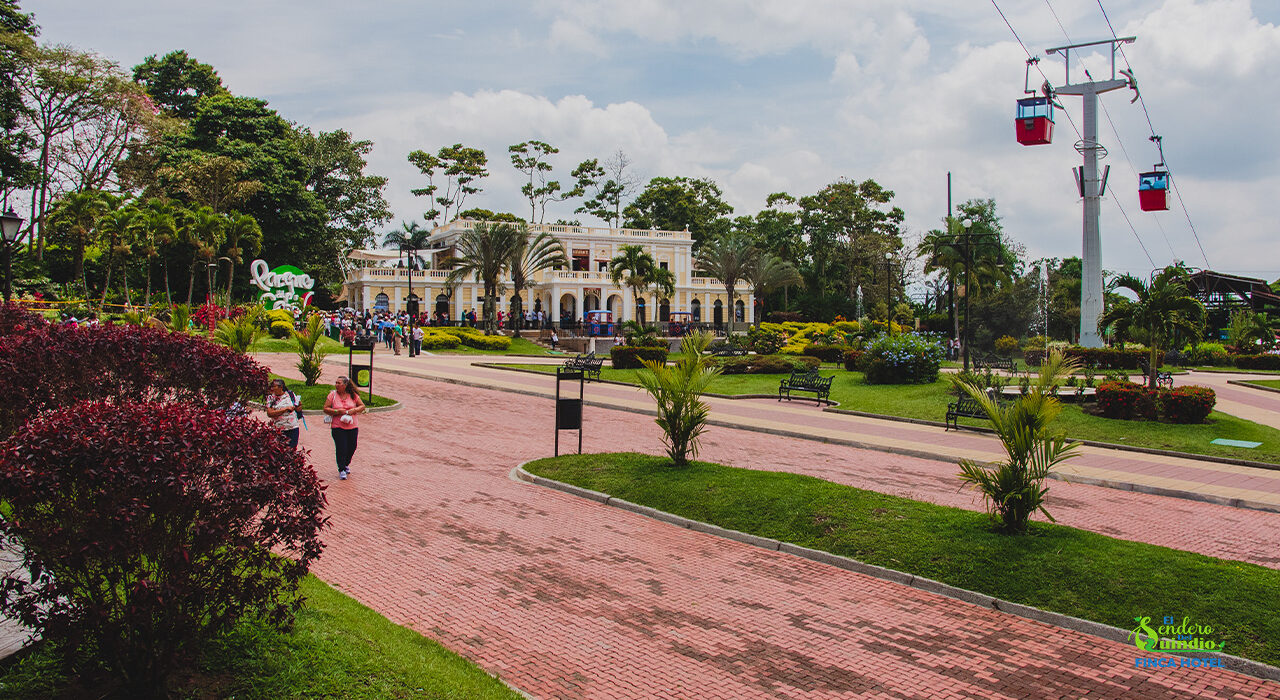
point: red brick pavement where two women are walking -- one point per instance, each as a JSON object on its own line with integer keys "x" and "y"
{"x": 565, "y": 598}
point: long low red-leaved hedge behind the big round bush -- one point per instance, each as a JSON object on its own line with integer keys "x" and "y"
{"x": 51, "y": 367}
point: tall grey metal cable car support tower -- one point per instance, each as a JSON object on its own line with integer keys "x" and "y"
{"x": 1090, "y": 185}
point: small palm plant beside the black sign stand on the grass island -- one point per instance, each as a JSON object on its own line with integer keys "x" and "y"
{"x": 679, "y": 391}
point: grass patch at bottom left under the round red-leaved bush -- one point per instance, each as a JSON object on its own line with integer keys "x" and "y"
{"x": 337, "y": 649}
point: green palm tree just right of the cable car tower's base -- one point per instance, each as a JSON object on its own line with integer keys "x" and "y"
{"x": 1163, "y": 309}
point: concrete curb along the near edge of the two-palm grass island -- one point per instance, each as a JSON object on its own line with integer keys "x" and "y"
{"x": 1238, "y": 665}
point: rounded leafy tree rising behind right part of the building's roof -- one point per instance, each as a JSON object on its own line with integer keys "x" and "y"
{"x": 678, "y": 204}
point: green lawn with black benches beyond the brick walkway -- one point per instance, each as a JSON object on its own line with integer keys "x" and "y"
{"x": 930, "y": 402}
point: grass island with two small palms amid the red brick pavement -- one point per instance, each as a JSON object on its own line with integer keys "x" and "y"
{"x": 1057, "y": 569}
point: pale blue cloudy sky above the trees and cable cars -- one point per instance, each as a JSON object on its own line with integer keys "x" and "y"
{"x": 767, "y": 97}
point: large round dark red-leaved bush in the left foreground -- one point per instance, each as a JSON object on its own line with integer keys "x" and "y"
{"x": 150, "y": 528}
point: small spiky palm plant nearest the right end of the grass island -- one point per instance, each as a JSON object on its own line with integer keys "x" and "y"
{"x": 1014, "y": 488}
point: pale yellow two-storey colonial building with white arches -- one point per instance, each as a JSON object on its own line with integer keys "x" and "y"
{"x": 380, "y": 282}
